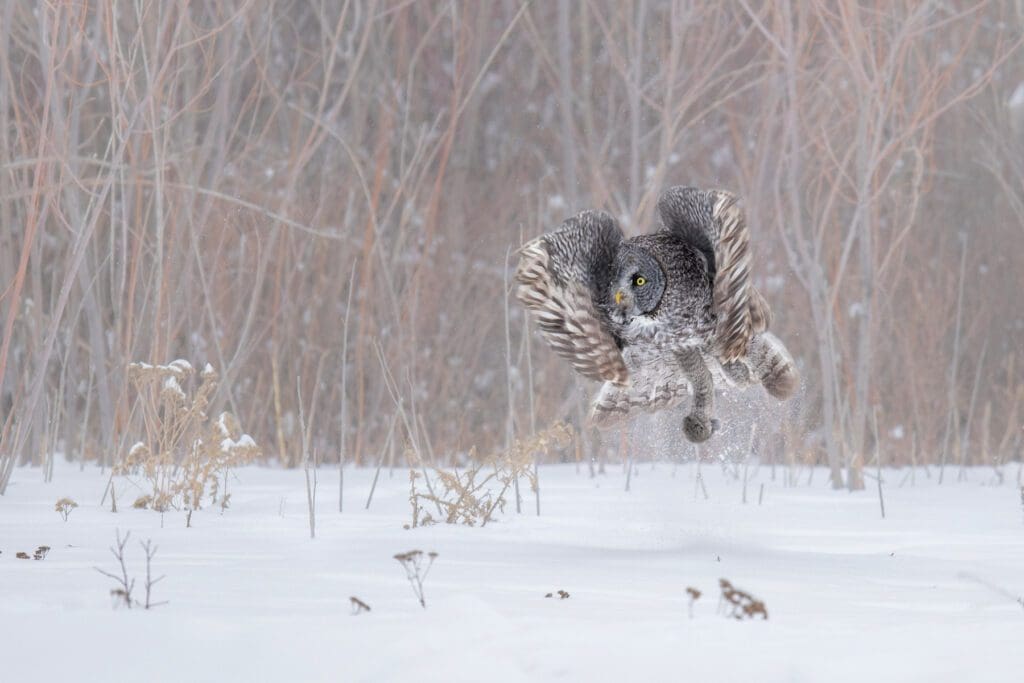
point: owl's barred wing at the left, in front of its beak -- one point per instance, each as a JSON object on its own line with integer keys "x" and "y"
{"x": 562, "y": 279}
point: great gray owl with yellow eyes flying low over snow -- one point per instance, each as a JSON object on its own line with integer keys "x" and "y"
{"x": 656, "y": 314}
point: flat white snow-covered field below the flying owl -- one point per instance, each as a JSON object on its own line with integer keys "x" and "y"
{"x": 850, "y": 596}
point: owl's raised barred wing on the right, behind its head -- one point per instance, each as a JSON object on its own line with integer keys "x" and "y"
{"x": 714, "y": 222}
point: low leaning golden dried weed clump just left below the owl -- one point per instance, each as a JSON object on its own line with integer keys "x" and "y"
{"x": 473, "y": 496}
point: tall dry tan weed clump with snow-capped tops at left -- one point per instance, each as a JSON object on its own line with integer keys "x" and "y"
{"x": 184, "y": 454}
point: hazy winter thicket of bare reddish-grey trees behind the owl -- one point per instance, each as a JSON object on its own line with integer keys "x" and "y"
{"x": 321, "y": 200}
